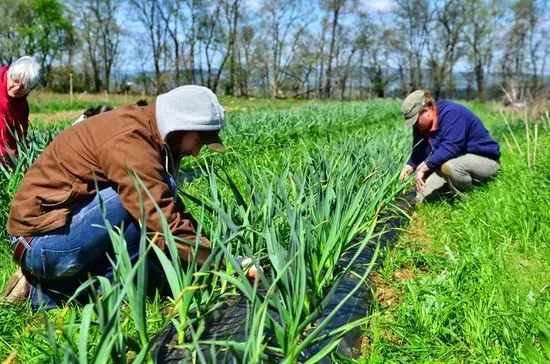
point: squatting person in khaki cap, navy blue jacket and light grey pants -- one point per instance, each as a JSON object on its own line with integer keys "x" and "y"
{"x": 452, "y": 149}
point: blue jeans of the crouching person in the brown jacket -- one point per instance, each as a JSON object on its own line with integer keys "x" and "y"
{"x": 57, "y": 262}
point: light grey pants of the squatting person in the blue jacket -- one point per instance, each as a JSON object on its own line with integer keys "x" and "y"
{"x": 458, "y": 175}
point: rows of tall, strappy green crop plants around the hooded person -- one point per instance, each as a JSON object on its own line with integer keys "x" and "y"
{"x": 293, "y": 191}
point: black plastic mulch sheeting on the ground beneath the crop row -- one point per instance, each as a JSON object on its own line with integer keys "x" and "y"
{"x": 229, "y": 322}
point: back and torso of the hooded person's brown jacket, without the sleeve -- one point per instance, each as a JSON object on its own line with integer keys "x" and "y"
{"x": 64, "y": 171}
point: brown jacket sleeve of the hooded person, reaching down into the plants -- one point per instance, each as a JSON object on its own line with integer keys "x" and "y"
{"x": 136, "y": 152}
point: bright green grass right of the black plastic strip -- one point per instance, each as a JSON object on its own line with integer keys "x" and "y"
{"x": 470, "y": 279}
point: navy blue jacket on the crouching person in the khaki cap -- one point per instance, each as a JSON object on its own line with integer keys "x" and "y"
{"x": 458, "y": 131}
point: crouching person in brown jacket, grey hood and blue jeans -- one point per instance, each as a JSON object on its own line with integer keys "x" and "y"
{"x": 55, "y": 214}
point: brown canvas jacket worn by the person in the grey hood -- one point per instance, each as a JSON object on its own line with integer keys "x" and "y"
{"x": 109, "y": 145}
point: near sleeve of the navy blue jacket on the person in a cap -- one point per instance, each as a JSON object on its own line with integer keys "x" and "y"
{"x": 453, "y": 140}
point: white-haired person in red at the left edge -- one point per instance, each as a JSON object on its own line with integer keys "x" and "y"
{"x": 16, "y": 81}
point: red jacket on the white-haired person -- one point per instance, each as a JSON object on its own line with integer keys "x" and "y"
{"x": 14, "y": 116}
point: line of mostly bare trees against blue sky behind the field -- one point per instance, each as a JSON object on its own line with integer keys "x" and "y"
{"x": 333, "y": 49}
